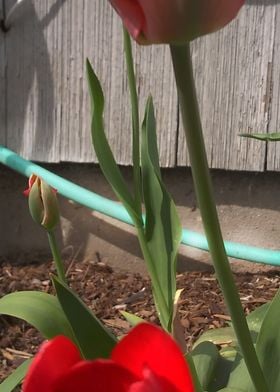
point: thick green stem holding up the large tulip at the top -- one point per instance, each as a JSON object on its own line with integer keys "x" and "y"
{"x": 182, "y": 65}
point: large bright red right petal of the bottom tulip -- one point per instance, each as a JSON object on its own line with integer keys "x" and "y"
{"x": 147, "y": 346}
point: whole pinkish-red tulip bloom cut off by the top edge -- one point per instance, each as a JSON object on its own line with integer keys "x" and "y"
{"x": 174, "y": 21}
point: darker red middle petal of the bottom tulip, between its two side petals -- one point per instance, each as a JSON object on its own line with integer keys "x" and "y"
{"x": 100, "y": 375}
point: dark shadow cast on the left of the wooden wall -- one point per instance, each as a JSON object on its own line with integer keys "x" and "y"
{"x": 28, "y": 59}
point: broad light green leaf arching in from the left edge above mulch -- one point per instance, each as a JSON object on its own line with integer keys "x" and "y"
{"x": 39, "y": 309}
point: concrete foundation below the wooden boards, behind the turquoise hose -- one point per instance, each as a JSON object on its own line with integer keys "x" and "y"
{"x": 248, "y": 206}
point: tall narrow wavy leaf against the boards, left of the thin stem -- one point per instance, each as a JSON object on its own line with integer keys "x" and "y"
{"x": 102, "y": 149}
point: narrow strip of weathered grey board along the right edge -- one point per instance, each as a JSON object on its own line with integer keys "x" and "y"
{"x": 273, "y": 96}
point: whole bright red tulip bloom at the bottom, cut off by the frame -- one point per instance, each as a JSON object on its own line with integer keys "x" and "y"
{"x": 146, "y": 360}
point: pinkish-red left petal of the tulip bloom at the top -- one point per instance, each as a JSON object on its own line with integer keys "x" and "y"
{"x": 131, "y": 14}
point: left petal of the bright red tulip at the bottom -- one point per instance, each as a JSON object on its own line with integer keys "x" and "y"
{"x": 54, "y": 358}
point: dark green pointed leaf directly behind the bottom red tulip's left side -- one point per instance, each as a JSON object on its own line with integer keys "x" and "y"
{"x": 92, "y": 337}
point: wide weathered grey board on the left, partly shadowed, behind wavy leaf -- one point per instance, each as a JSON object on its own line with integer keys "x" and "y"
{"x": 47, "y": 98}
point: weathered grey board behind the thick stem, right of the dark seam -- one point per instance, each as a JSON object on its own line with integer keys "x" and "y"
{"x": 231, "y": 71}
